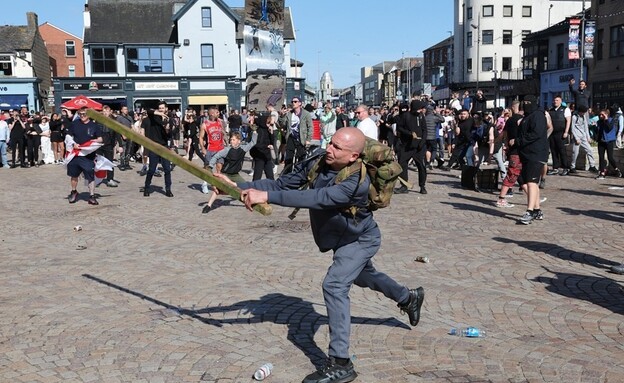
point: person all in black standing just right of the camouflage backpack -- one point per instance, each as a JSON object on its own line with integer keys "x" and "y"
{"x": 412, "y": 132}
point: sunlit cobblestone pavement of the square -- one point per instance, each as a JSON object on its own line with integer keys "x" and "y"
{"x": 152, "y": 290}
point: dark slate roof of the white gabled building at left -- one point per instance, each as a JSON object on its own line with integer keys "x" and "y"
{"x": 138, "y": 21}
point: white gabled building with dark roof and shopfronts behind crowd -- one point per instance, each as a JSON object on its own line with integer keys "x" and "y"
{"x": 189, "y": 54}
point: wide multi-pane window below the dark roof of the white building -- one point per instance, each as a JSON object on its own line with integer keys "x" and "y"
{"x": 149, "y": 59}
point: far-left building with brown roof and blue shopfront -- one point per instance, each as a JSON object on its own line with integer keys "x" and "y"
{"x": 24, "y": 67}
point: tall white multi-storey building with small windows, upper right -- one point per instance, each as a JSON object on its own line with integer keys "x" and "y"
{"x": 488, "y": 34}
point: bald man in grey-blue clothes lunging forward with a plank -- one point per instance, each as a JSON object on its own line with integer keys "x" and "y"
{"x": 353, "y": 238}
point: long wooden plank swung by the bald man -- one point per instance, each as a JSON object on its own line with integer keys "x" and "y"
{"x": 167, "y": 154}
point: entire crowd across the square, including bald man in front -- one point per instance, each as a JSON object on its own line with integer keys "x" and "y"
{"x": 518, "y": 141}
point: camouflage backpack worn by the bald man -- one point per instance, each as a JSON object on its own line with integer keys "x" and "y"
{"x": 378, "y": 161}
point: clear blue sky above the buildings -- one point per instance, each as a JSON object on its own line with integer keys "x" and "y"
{"x": 339, "y": 36}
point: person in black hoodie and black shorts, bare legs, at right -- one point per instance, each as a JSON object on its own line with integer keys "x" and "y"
{"x": 532, "y": 143}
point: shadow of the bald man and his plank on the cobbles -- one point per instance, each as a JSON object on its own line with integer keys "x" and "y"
{"x": 297, "y": 314}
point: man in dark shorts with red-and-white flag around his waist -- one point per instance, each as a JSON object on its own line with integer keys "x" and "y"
{"x": 83, "y": 131}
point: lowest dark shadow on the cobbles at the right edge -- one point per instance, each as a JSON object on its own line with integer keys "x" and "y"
{"x": 598, "y": 290}
